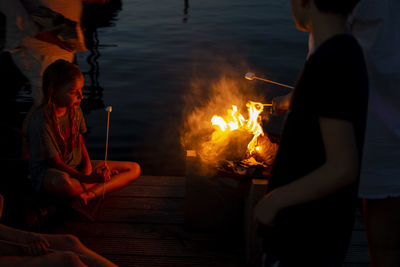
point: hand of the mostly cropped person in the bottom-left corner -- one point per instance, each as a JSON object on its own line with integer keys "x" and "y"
{"x": 37, "y": 245}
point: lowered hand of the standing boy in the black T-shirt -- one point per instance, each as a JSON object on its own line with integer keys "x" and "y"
{"x": 266, "y": 209}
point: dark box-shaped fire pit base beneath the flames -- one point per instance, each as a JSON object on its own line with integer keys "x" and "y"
{"x": 221, "y": 201}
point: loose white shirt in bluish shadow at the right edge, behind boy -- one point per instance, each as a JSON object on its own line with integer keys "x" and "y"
{"x": 376, "y": 25}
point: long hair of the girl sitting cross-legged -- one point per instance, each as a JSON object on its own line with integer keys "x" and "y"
{"x": 56, "y": 76}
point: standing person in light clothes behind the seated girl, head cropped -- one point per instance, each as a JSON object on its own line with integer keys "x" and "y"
{"x": 38, "y": 32}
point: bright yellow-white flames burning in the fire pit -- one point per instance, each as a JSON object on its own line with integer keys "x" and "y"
{"x": 234, "y": 121}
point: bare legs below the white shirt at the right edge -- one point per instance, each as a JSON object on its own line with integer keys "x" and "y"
{"x": 383, "y": 232}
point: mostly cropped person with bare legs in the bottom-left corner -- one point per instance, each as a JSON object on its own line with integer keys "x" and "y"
{"x": 23, "y": 248}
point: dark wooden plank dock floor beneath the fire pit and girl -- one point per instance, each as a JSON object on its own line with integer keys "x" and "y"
{"x": 143, "y": 225}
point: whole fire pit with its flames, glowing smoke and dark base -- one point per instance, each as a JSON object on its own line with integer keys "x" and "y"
{"x": 229, "y": 158}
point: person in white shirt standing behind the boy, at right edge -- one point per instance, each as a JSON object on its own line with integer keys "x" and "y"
{"x": 376, "y": 26}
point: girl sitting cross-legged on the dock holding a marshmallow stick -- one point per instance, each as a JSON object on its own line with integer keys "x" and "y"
{"x": 59, "y": 162}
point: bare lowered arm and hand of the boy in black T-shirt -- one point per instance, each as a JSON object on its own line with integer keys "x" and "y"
{"x": 339, "y": 170}
